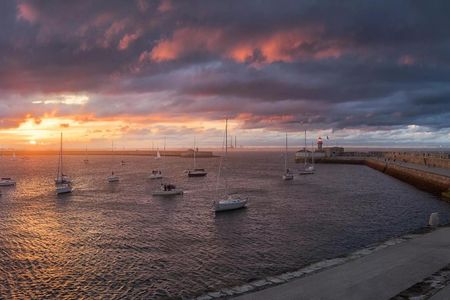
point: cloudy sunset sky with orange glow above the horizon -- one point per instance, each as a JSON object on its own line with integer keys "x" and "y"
{"x": 363, "y": 73}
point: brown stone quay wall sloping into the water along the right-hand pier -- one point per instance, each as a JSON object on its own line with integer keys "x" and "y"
{"x": 427, "y": 181}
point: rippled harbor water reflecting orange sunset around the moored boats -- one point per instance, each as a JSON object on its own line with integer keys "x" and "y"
{"x": 116, "y": 240}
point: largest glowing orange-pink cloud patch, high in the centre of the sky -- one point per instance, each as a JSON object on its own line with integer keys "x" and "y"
{"x": 286, "y": 46}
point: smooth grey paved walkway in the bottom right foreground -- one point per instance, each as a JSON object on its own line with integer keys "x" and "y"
{"x": 380, "y": 275}
